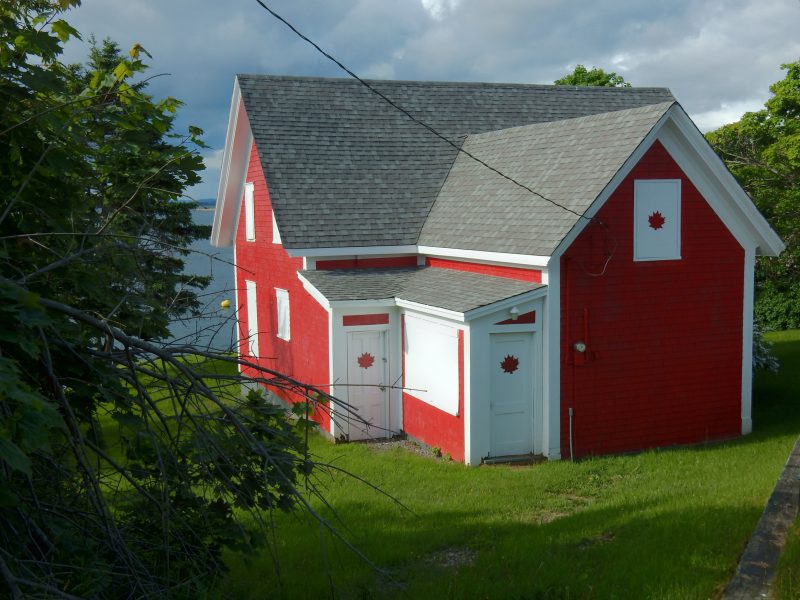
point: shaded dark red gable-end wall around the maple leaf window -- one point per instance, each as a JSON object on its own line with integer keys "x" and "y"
{"x": 664, "y": 338}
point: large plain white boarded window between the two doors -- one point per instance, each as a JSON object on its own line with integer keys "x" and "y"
{"x": 431, "y": 362}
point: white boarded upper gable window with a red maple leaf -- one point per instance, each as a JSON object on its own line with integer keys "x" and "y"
{"x": 656, "y": 219}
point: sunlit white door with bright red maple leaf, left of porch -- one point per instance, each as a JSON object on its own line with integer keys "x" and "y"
{"x": 366, "y": 380}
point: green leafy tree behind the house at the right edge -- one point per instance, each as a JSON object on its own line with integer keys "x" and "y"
{"x": 762, "y": 150}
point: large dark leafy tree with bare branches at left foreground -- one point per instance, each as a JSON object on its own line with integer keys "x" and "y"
{"x": 123, "y": 460}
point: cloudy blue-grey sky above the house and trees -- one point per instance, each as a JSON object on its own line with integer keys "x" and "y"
{"x": 717, "y": 56}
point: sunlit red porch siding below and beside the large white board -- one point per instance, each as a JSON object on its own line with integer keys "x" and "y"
{"x": 430, "y": 425}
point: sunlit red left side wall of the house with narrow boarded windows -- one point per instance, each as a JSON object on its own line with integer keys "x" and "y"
{"x": 305, "y": 356}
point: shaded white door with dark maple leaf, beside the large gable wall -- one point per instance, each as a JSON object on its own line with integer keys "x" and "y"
{"x": 511, "y": 388}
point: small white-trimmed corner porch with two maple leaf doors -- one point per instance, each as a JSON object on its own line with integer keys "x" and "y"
{"x": 450, "y": 358}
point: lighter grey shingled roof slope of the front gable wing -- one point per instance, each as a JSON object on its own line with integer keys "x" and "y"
{"x": 568, "y": 161}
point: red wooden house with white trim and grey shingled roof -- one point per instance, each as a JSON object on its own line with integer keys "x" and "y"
{"x": 603, "y": 305}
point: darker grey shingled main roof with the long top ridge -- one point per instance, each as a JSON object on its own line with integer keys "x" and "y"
{"x": 345, "y": 169}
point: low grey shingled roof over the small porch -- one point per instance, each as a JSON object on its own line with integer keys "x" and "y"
{"x": 458, "y": 291}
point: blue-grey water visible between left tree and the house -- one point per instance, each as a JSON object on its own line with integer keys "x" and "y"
{"x": 214, "y": 329}
